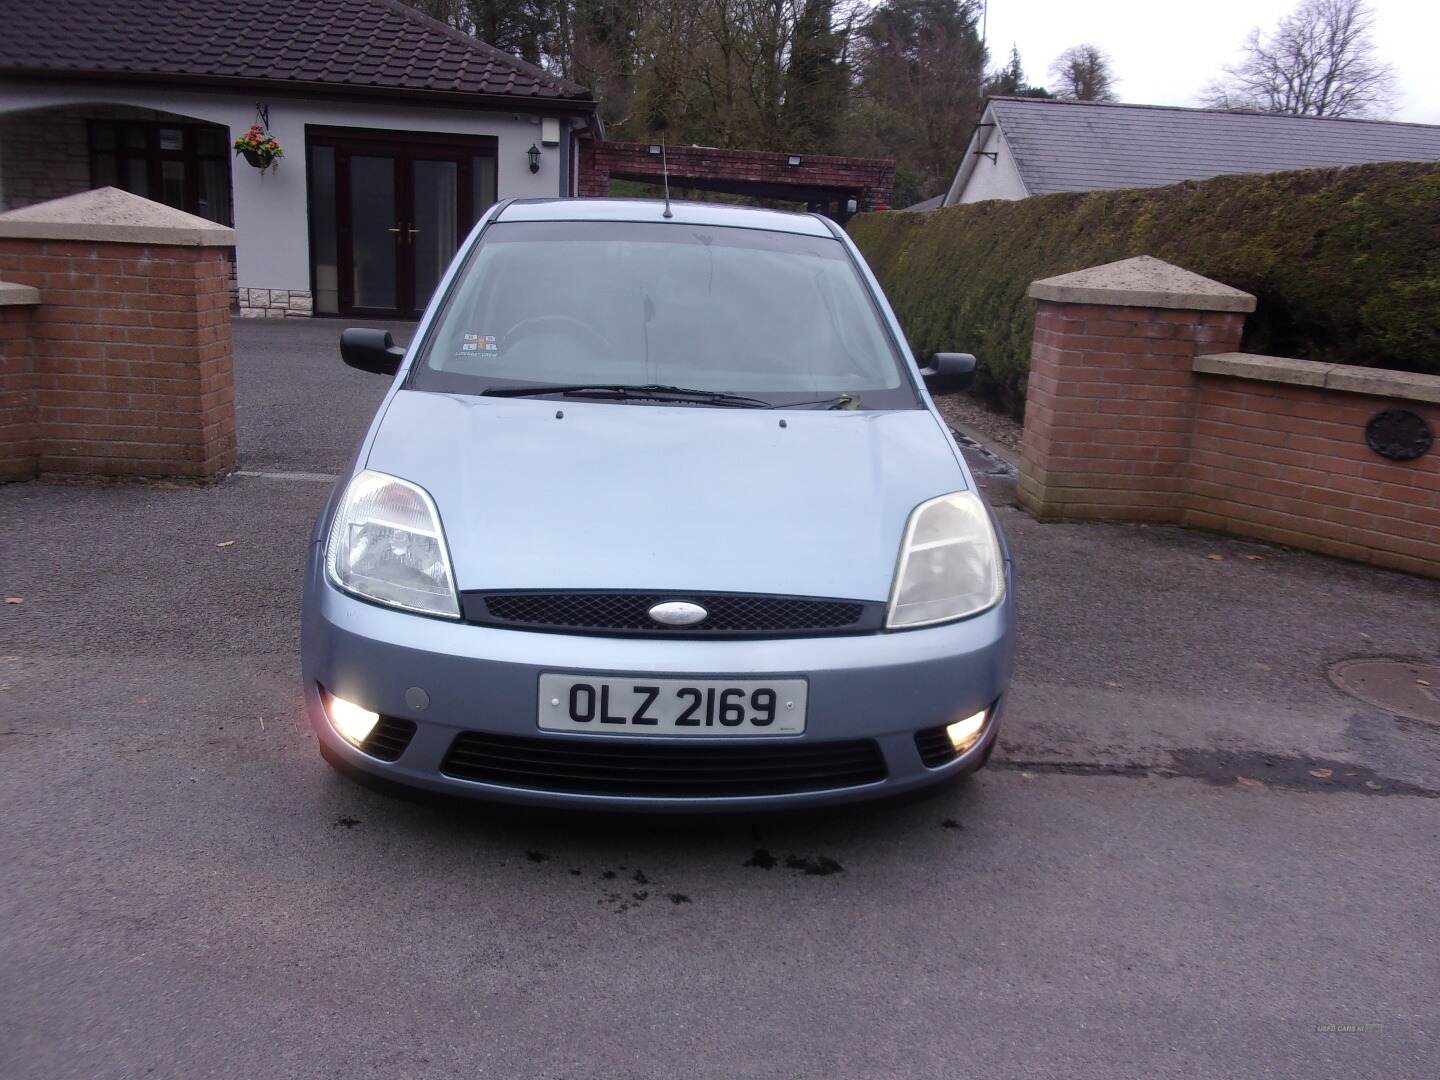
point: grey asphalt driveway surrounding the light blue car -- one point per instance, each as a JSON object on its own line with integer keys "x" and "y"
{"x": 1192, "y": 858}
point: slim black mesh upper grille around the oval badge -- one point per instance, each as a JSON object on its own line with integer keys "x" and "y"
{"x": 629, "y": 613}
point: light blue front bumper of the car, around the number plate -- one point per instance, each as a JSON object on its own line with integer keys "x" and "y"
{"x": 883, "y": 688}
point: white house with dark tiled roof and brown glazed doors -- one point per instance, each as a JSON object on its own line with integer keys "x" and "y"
{"x": 397, "y": 133}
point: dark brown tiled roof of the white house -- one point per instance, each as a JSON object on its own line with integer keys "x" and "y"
{"x": 359, "y": 44}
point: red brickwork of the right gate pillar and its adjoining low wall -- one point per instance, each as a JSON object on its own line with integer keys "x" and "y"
{"x": 1121, "y": 427}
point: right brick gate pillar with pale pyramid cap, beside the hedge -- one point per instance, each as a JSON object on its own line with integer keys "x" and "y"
{"x": 1111, "y": 402}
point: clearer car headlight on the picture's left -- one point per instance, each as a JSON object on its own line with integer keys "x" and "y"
{"x": 387, "y": 545}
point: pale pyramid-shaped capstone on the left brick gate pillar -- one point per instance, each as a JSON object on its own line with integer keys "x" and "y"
{"x": 109, "y": 215}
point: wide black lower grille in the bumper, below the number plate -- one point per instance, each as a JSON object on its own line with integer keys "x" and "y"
{"x": 642, "y": 768}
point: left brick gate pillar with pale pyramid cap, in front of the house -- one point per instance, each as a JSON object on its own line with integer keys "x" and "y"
{"x": 132, "y": 339}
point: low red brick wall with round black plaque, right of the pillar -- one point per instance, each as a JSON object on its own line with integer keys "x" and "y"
{"x": 1290, "y": 464}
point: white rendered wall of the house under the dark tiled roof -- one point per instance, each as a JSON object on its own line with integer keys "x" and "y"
{"x": 273, "y": 234}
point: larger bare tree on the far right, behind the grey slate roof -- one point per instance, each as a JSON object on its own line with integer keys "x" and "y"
{"x": 1320, "y": 63}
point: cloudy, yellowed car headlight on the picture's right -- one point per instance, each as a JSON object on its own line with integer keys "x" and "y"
{"x": 950, "y": 564}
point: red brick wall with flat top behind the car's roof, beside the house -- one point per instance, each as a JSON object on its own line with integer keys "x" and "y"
{"x": 870, "y": 181}
